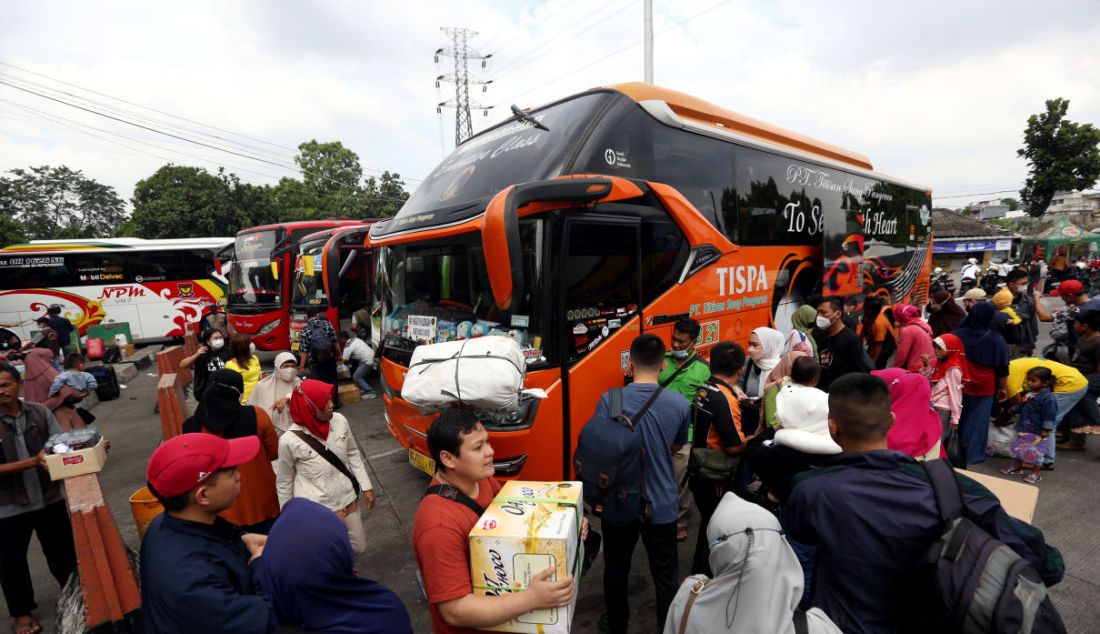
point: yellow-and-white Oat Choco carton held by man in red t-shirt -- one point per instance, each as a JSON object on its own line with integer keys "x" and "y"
{"x": 529, "y": 528}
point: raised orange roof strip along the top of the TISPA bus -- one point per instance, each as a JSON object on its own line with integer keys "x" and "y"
{"x": 712, "y": 116}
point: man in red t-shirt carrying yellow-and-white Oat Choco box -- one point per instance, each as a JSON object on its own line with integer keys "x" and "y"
{"x": 463, "y": 488}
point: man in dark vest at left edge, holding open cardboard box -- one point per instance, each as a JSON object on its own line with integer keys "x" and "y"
{"x": 30, "y": 502}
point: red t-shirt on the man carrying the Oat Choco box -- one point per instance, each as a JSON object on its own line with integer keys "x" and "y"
{"x": 442, "y": 543}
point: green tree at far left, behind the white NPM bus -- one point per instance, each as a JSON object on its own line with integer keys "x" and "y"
{"x": 58, "y": 203}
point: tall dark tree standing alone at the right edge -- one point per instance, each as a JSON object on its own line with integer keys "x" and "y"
{"x": 1062, "y": 157}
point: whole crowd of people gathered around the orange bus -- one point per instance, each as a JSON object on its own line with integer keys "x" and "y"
{"x": 801, "y": 453}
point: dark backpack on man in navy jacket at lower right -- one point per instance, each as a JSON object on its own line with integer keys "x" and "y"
{"x": 970, "y": 581}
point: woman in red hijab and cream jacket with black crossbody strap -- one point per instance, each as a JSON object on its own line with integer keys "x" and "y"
{"x": 320, "y": 460}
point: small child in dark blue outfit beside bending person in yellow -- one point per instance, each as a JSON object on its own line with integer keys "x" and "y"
{"x": 1037, "y": 423}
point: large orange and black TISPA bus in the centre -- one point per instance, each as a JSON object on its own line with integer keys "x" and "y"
{"x": 580, "y": 225}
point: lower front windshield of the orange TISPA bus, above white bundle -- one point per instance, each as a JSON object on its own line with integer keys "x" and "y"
{"x": 439, "y": 291}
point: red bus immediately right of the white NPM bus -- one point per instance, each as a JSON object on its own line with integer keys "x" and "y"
{"x": 259, "y": 299}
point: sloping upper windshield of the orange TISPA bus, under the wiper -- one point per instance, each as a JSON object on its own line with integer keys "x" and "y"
{"x": 515, "y": 152}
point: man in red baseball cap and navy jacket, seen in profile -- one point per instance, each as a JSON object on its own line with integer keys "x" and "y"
{"x": 196, "y": 569}
